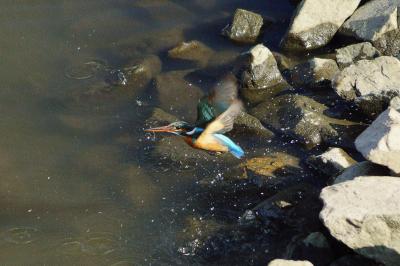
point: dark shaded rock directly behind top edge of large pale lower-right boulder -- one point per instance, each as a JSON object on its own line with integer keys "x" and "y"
{"x": 360, "y": 169}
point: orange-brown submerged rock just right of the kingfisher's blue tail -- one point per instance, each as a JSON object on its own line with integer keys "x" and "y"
{"x": 277, "y": 168}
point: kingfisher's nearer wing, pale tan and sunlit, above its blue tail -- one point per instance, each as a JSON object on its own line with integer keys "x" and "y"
{"x": 224, "y": 122}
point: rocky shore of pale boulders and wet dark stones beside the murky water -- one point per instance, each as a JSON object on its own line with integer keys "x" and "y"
{"x": 320, "y": 182}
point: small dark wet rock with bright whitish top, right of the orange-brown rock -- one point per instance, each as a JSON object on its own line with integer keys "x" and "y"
{"x": 331, "y": 162}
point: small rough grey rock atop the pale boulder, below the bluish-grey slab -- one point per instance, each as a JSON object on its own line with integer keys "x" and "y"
{"x": 350, "y": 54}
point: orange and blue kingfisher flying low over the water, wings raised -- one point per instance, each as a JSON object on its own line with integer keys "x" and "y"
{"x": 216, "y": 113}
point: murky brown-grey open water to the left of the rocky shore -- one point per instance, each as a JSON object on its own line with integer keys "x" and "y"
{"x": 77, "y": 186}
